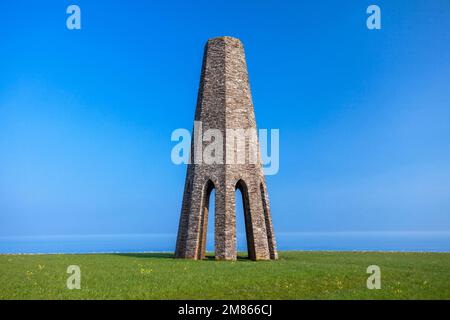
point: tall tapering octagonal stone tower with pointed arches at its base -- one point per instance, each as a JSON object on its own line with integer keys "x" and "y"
{"x": 225, "y": 104}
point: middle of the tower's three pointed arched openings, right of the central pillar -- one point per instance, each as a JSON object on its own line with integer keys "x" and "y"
{"x": 242, "y": 201}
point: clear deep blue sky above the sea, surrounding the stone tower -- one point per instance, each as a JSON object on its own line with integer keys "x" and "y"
{"x": 86, "y": 116}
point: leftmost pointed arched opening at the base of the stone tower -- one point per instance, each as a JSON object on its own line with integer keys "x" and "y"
{"x": 207, "y": 221}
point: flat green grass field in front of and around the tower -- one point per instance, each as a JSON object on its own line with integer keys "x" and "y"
{"x": 296, "y": 275}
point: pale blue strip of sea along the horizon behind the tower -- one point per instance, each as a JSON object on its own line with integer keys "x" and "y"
{"x": 353, "y": 241}
